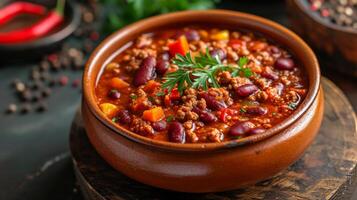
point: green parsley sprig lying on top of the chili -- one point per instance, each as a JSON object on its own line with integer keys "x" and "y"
{"x": 201, "y": 71}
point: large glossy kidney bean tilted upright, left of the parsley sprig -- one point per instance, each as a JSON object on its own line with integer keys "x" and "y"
{"x": 145, "y": 72}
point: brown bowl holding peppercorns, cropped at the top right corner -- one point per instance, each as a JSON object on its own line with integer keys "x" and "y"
{"x": 336, "y": 45}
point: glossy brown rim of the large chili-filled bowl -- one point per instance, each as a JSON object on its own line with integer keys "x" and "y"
{"x": 89, "y": 98}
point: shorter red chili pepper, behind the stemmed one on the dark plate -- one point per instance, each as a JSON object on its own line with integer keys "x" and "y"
{"x": 14, "y": 9}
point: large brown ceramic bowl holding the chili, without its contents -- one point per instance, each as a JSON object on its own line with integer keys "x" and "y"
{"x": 213, "y": 166}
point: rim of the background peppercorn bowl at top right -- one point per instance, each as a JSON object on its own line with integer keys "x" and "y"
{"x": 304, "y": 8}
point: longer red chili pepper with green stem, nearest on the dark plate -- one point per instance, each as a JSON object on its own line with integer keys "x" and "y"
{"x": 39, "y": 29}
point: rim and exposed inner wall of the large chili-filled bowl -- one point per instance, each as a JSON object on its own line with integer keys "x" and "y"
{"x": 217, "y": 18}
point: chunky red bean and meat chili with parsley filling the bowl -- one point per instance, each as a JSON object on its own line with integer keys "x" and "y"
{"x": 227, "y": 84}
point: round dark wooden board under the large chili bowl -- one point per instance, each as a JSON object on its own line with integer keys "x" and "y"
{"x": 327, "y": 170}
